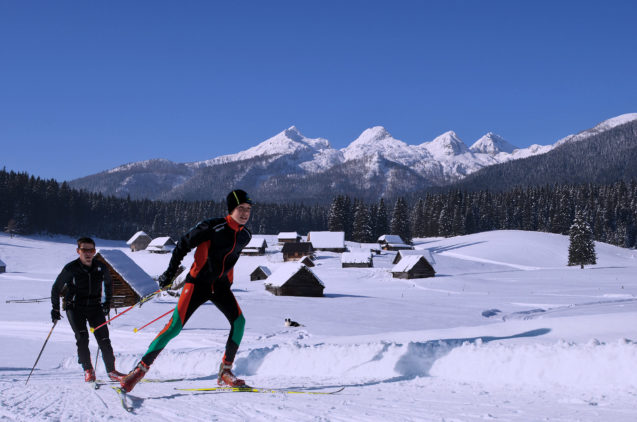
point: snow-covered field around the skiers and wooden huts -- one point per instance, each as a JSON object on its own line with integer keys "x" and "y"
{"x": 505, "y": 331}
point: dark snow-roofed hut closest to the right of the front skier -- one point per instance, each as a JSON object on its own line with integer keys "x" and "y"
{"x": 294, "y": 279}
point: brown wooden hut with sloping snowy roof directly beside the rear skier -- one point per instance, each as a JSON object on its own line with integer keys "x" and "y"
{"x": 130, "y": 282}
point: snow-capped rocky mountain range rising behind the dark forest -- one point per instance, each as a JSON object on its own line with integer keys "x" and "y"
{"x": 290, "y": 167}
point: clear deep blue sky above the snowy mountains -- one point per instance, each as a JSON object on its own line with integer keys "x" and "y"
{"x": 86, "y": 86}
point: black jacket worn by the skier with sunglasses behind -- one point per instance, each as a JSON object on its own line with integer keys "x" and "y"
{"x": 81, "y": 285}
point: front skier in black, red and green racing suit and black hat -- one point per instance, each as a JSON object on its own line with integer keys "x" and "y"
{"x": 219, "y": 242}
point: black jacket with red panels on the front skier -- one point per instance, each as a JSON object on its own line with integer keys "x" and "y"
{"x": 219, "y": 242}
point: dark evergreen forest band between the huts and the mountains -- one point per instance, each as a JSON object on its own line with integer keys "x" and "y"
{"x": 30, "y": 204}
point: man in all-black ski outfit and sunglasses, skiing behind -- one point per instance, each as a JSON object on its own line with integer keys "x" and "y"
{"x": 80, "y": 285}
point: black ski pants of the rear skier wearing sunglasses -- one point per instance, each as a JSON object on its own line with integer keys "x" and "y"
{"x": 78, "y": 317}
